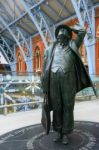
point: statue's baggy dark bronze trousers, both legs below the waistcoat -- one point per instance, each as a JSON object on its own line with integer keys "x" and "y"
{"x": 62, "y": 88}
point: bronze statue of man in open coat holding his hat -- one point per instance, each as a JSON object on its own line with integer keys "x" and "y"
{"x": 63, "y": 76}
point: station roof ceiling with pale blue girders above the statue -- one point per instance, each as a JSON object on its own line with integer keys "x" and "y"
{"x": 20, "y": 20}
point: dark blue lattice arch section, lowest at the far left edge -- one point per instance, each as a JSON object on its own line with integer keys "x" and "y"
{"x": 8, "y": 49}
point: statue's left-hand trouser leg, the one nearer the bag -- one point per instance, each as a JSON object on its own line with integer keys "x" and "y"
{"x": 55, "y": 96}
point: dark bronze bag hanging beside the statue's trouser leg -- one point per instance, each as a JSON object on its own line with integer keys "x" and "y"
{"x": 46, "y": 119}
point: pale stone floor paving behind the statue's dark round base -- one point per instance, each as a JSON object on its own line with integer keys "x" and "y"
{"x": 84, "y": 111}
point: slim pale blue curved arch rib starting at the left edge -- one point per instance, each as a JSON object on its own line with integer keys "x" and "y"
{"x": 22, "y": 52}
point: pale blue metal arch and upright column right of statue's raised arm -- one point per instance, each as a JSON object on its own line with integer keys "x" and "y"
{"x": 90, "y": 49}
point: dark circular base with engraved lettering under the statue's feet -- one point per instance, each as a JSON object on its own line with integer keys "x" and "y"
{"x": 84, "y": 137}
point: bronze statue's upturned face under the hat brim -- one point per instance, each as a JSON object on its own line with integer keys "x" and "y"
{"x": 63, "y": 36}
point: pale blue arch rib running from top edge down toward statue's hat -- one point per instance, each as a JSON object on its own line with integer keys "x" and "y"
{"x": 34, "y": 20}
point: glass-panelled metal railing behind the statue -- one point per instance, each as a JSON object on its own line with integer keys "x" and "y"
{"x": 23, "y": 92}
